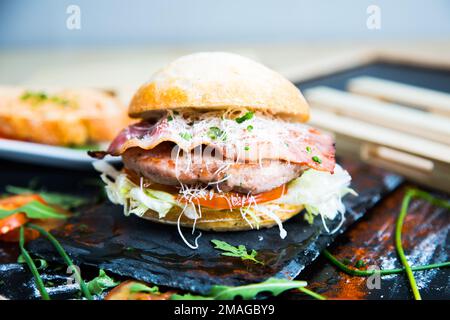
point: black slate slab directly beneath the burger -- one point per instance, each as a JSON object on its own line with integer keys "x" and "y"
{"x": 154, "y": 253}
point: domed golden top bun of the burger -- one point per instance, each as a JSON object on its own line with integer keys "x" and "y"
{"x": 219, "y": 80}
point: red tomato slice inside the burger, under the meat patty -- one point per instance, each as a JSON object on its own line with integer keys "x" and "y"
{"x": 233, "y": 200}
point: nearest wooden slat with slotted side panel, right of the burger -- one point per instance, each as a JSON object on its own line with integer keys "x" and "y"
{"x": 419, "y": 159}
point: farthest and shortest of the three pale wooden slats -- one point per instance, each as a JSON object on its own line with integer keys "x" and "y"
{"x": 427, "y": 99}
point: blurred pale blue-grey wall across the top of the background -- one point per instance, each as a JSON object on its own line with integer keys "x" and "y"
{"x": 25, "y": 23}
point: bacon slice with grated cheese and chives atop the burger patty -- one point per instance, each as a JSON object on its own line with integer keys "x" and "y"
{"x": 260, "y": 138}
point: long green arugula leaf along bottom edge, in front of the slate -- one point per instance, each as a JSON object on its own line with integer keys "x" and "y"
{"x": 247, "y": 292}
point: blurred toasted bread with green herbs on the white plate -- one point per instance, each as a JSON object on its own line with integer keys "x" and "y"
{"x": 66, "y": 117}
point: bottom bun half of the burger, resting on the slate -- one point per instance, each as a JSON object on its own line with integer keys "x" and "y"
{"x": 225, "y": 220}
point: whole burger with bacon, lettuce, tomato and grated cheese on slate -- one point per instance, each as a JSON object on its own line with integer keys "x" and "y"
{"x": 222, "y": 146}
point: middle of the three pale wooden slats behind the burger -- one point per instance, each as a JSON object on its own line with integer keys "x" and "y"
{"x": 370, "y": 110}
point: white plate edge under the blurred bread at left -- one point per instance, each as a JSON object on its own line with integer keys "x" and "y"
{"x": 41, "y": 154}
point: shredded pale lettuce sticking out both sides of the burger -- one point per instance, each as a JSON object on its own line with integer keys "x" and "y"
{"x": 319, "y": 192}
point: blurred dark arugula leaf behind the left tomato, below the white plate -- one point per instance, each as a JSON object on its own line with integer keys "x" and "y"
{"x": 62, "y": 200}
